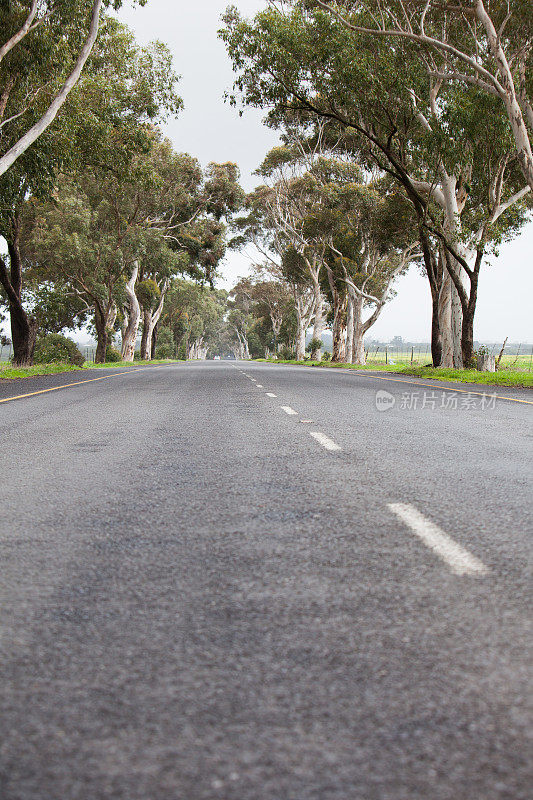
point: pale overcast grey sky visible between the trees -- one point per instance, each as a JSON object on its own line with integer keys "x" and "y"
{"x": 212, "y": 131}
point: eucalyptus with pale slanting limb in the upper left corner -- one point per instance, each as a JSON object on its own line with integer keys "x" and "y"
{"x": 44, "y": 47}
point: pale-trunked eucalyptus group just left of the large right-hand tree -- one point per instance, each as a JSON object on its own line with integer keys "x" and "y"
{"x": 345, "y": 229}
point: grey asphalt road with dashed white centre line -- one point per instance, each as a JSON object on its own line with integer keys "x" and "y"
{"x": 205, "y": 596}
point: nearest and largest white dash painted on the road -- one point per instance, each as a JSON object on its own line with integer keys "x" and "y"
{"x": 460, "y": 560}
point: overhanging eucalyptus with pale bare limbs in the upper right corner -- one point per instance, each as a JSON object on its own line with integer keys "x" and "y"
{"x": 488, "y": 45}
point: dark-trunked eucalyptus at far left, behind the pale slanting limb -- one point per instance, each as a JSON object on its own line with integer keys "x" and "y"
{"x": 108, "y": 118}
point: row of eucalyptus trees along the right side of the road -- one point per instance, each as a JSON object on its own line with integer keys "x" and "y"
{"x": 407, "y": 139}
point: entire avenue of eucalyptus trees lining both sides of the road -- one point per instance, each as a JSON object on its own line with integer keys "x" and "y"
{"x": 405, "y": 139}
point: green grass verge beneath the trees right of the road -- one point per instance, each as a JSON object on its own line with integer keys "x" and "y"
{"x": 500, "y": 378}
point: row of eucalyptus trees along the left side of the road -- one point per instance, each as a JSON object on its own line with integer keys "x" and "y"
{"x": 98, "y": 211}
